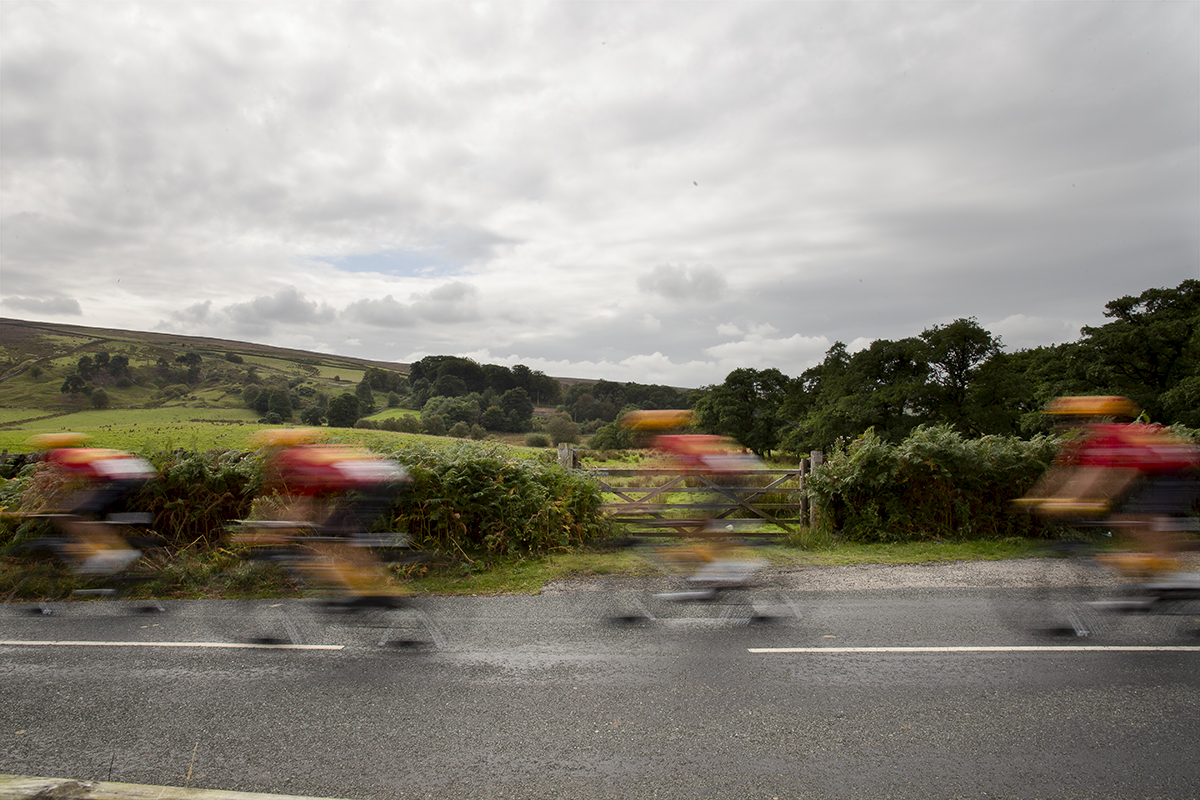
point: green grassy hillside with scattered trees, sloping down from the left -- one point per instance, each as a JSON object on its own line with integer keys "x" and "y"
{"x": 157, "y": 387}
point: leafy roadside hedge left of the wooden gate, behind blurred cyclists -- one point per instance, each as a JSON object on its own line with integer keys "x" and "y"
{"x": 465, "y": 500}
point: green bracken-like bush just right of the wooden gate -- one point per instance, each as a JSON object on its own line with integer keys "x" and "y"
{"x": 934, "y": 485}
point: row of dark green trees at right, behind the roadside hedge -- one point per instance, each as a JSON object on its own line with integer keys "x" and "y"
{"x": 959, "y": 375}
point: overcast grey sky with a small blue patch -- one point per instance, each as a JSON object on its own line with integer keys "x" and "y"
{"x": 659, "y": 193}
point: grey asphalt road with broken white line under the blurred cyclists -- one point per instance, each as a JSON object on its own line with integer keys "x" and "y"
{"x": 884, "y": 694}
